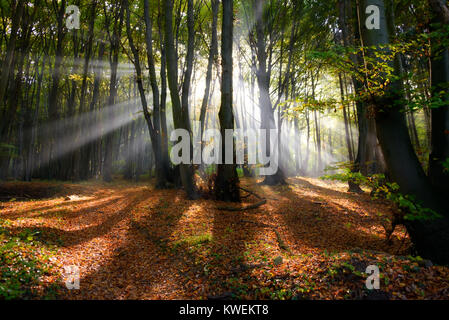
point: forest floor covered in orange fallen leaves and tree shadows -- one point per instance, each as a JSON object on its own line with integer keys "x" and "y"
{"x": 311, "y": 240}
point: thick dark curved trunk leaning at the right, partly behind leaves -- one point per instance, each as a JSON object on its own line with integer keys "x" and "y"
{"x": 431, "y": 238}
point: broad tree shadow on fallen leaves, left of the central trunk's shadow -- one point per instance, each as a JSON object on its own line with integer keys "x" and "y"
{"x": 145, "y": 262}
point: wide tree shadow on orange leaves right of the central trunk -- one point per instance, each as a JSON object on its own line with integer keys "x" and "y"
{"x": 323, "y": 222}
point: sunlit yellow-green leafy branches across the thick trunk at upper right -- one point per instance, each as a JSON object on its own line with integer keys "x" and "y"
{"x": 377, "y": 72}
